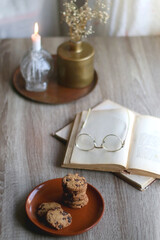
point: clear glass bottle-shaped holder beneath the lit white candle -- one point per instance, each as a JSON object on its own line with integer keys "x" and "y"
{"x": 36, "y": 68}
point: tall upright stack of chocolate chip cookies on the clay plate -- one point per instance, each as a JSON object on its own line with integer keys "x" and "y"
{"x": 74, "y": 191}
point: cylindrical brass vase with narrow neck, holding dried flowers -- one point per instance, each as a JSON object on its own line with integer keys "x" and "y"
{"x": 75, "y": 62}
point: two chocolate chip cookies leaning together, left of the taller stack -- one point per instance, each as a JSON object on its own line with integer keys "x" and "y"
{"x": 53, "y": 213}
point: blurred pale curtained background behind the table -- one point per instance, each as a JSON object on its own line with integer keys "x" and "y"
{"x": 127, "y": 18}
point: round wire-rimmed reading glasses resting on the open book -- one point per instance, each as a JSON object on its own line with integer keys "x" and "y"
{"x": 111, "y": 142}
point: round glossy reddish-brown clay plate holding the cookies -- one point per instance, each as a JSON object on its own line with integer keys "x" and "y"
{"x": 83, "y": 219}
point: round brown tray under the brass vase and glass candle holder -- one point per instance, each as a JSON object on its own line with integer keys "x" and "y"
{"x": 55, "y": 93}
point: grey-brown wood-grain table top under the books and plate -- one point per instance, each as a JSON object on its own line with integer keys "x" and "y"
{"x": 129, "y": 74}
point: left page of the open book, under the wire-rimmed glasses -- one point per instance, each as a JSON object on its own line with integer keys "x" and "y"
{"x": 100, "y": 124}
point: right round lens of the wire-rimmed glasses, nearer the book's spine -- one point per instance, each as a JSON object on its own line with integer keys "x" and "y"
{"x": 112, "y": 143}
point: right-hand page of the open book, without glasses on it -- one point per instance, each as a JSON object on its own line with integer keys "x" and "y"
{"x": 145, "y": 150}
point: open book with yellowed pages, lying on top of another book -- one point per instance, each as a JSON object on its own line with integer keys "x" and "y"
{"x": 140, "y": 153}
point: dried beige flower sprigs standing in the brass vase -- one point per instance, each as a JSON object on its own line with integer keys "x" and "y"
{"x": 77, "y": 18}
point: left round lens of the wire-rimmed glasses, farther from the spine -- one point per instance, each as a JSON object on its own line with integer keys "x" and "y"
{"x": 84, "y": 142}
